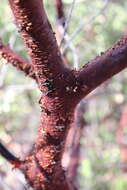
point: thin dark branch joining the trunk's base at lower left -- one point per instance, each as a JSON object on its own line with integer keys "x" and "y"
{"x": 9, "y": 156}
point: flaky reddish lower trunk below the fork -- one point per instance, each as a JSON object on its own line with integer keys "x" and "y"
{"x": 43, "y": 167}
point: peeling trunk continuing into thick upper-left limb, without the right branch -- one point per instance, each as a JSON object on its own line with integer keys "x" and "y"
{"x": 43, "y": 168}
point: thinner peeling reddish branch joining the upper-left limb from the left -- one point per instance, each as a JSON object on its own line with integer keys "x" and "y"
{"x": 18, "y": 62}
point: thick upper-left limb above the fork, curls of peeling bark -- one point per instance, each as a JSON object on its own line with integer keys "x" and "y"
{"x": 40, "y": 39}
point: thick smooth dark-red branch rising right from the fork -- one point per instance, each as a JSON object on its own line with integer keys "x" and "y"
{"x": 103, "y": 67}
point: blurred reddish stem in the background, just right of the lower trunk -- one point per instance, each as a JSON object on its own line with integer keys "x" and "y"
{"x": 80, "y": 123}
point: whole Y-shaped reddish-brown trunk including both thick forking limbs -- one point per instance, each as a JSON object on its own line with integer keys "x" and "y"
{"x": 61, "y": 88}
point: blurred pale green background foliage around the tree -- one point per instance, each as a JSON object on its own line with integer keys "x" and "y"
{"x": 102, "y": 166}
